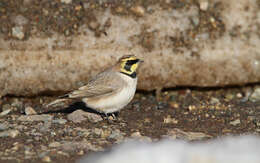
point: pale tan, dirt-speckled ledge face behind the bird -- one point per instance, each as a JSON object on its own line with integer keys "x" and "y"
{"x": 212, "y": 44}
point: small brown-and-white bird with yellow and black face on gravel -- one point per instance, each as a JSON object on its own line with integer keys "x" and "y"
{"x": 110, "y": 90}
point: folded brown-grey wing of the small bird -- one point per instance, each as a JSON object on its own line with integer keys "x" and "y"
{"x": 102, "y": 84}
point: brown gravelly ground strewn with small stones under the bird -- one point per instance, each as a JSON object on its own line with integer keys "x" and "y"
{"x": 30, "y": 132}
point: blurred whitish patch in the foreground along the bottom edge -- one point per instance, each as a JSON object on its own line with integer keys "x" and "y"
{"x": 243, "y": 149}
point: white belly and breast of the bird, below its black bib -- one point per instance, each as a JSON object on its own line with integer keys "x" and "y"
{"x": 115, "y": 102}
